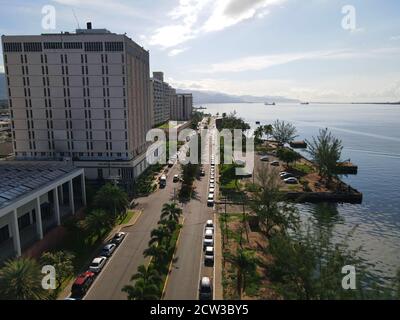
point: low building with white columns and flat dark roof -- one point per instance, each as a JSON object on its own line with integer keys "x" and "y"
{"x": 34, "y": 197}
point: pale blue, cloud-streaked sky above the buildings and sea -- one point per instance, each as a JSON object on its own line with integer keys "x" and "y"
{"x": 293, "y": 48}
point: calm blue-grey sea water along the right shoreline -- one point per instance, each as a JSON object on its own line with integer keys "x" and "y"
{"x": 371, "y": 139}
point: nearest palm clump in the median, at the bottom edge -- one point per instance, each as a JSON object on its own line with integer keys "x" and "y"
{"x": 147, "y": 285}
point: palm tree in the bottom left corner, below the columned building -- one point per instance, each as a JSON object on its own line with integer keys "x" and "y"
{"x": 20, "y": 279}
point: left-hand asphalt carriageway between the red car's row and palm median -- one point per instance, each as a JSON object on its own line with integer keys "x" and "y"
{"x": 125, "y": 261}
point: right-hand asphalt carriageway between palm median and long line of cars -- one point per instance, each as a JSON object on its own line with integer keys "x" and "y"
{"x": 188, "y": 267}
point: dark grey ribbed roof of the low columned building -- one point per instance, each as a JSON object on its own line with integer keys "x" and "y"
{"x": 18, "y": 178}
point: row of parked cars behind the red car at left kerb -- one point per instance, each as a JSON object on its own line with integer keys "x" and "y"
{"x": 84, "y": 281}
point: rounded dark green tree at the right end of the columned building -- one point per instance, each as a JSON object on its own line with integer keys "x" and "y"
{"x": 112, "y": 199}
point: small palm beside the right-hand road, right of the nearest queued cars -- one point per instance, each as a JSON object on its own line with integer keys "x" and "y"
{"x": 245, "y": 264}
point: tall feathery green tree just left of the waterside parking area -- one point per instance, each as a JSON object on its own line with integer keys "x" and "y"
{"x": 273, "y": 214}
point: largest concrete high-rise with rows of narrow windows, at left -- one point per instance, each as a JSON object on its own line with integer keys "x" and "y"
{"x": 84, "y": 96}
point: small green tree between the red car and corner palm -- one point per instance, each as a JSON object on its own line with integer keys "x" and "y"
{"x": 62, "y": 261}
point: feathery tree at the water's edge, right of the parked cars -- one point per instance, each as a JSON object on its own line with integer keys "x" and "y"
{"x": 325, "y": 151}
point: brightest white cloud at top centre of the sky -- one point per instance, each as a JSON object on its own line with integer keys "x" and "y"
{"x": 192, "y": 18}
